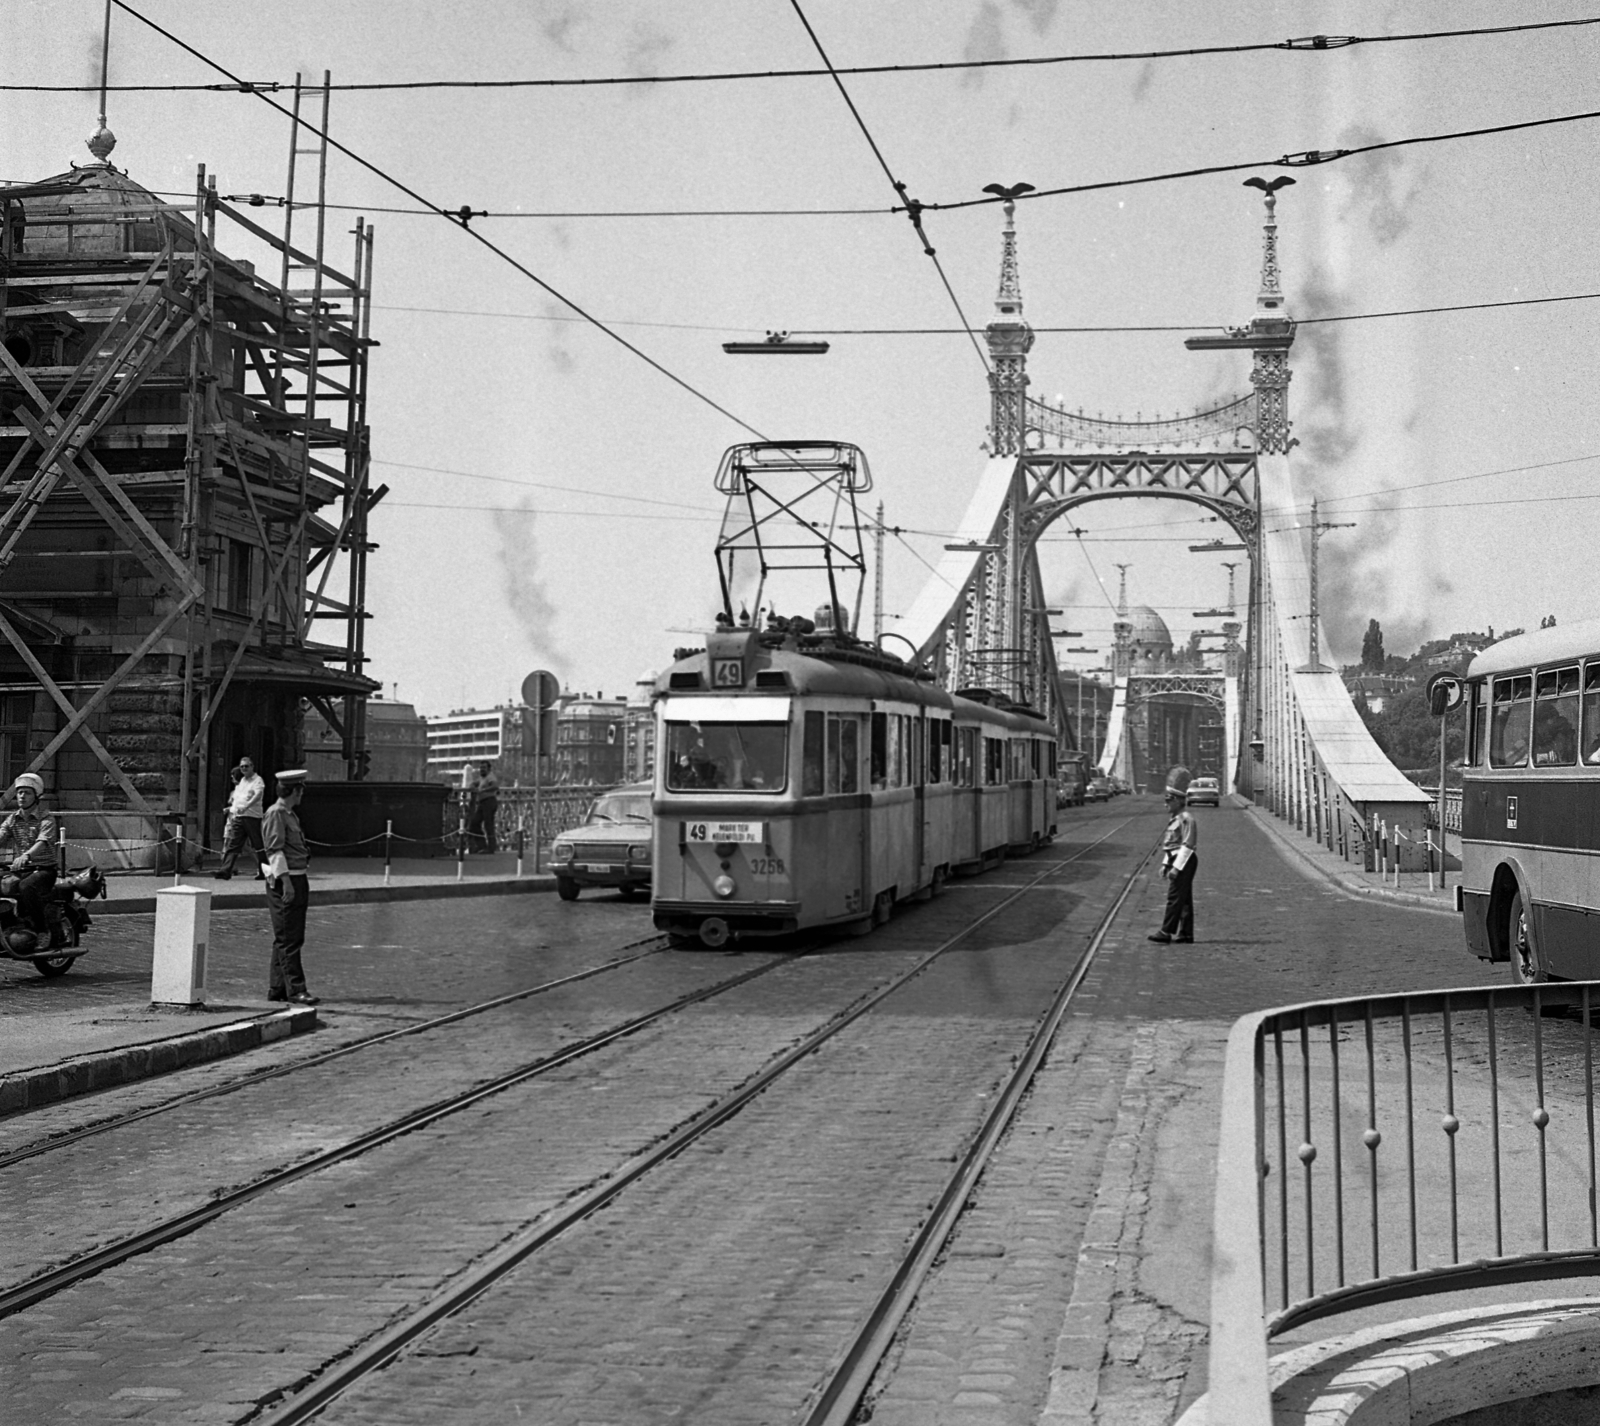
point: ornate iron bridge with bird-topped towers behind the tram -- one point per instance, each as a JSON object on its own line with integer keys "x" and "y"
{"x": 1287, "y": 732}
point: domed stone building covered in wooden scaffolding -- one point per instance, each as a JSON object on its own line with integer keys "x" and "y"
{"x": 183, "y": 518}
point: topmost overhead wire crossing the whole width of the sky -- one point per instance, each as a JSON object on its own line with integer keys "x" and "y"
{"x": 1308, "y": 44}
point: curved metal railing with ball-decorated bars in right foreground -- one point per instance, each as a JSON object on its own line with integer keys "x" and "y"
{"x": 1394, "y": 1147}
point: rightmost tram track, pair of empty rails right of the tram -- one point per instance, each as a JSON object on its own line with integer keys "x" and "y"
{"x": 849, "y": 1380}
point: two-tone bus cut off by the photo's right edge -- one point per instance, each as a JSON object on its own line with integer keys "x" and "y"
{"x": 1530, "y": 804}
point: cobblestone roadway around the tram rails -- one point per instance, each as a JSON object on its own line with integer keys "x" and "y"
{"x": 719, "y": 1288}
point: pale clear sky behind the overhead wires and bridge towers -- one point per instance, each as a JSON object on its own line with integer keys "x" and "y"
{"x": 551, "y": 494}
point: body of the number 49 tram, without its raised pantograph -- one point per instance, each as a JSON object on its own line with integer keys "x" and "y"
{"x": 809, "y": 780}
